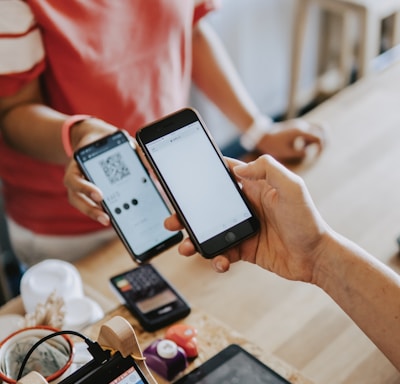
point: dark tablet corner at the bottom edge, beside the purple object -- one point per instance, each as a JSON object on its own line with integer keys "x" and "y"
{"x": 231, "y": 366}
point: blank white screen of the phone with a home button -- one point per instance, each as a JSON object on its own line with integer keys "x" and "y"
{"x": 199, "y": 182}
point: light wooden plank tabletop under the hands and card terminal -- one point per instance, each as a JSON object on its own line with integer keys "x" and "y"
{"x": 356, "y": 185}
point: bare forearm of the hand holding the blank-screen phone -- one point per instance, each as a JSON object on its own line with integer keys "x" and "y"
{"x": 367, "y": 290}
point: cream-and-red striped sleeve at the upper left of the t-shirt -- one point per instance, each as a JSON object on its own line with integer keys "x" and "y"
{"x": 21, "y": 46}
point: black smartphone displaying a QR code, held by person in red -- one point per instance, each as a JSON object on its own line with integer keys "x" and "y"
{"x": 136, "y": 208}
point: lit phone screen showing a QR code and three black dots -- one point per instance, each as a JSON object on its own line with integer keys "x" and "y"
{"x": 130, "y": 195}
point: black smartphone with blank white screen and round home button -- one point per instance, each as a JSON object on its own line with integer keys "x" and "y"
{"x": 191, "y": 169}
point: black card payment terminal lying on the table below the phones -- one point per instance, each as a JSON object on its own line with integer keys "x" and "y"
{"x": 150, "y": 297}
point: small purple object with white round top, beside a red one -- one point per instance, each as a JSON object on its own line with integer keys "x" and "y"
{"x": 165, "y": 358}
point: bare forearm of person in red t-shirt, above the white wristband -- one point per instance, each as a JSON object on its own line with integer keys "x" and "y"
{"x": 216, "y": 77}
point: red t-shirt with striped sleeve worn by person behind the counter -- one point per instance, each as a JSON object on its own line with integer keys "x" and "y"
{"x": 126, "y": 62}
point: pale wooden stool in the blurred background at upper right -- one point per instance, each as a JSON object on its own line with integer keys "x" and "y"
{"x": 369, "y": 15}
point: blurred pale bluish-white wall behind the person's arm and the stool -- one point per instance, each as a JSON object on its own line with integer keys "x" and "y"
{"x": 258, "y": 37}
